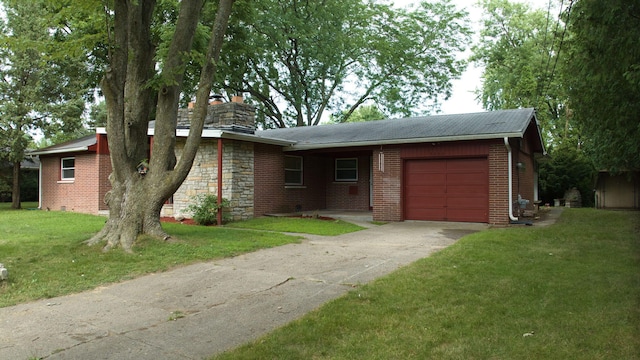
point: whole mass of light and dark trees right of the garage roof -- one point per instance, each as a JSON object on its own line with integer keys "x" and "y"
{"x": 577, "y": 62}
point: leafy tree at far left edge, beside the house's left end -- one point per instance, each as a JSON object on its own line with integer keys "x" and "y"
{"x": 40, "y": 88}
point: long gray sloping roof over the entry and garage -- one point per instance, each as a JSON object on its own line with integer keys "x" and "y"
{"x": 474, "y": 126}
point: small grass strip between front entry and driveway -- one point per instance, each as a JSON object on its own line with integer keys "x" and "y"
{"x": 298, "y": 225}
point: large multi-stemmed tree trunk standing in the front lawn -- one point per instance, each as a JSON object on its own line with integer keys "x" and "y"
{"x": 135, "y": 200}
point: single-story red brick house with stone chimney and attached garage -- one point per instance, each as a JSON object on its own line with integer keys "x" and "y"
{"x": 466, "y": 167}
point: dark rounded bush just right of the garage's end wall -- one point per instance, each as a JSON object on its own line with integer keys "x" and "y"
{"x": 566, "y": 168}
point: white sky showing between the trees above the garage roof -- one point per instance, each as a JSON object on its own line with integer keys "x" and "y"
{"x": 463, "y": 99}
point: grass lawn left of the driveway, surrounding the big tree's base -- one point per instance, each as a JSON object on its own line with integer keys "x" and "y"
{"x": 46, "y": 257}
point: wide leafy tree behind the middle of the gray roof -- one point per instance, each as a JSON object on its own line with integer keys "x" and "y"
{"x": 300, "y": 59}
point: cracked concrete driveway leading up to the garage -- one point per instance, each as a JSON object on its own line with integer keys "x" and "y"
{"x": 197, "y": 311}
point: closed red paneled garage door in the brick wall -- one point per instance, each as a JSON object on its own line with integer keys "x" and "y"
{"x": 447, "y": 190}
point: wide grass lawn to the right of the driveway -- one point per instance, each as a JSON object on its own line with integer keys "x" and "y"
{"x": 574, "y": 285}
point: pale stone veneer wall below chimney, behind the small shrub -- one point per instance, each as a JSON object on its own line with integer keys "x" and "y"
{"x": 237, "y": 178}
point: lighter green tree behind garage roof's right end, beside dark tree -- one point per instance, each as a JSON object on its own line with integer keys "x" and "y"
{"x": 521, "y": 50}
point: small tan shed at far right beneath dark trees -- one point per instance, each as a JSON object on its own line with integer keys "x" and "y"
{"x": 617, "y": 191}
